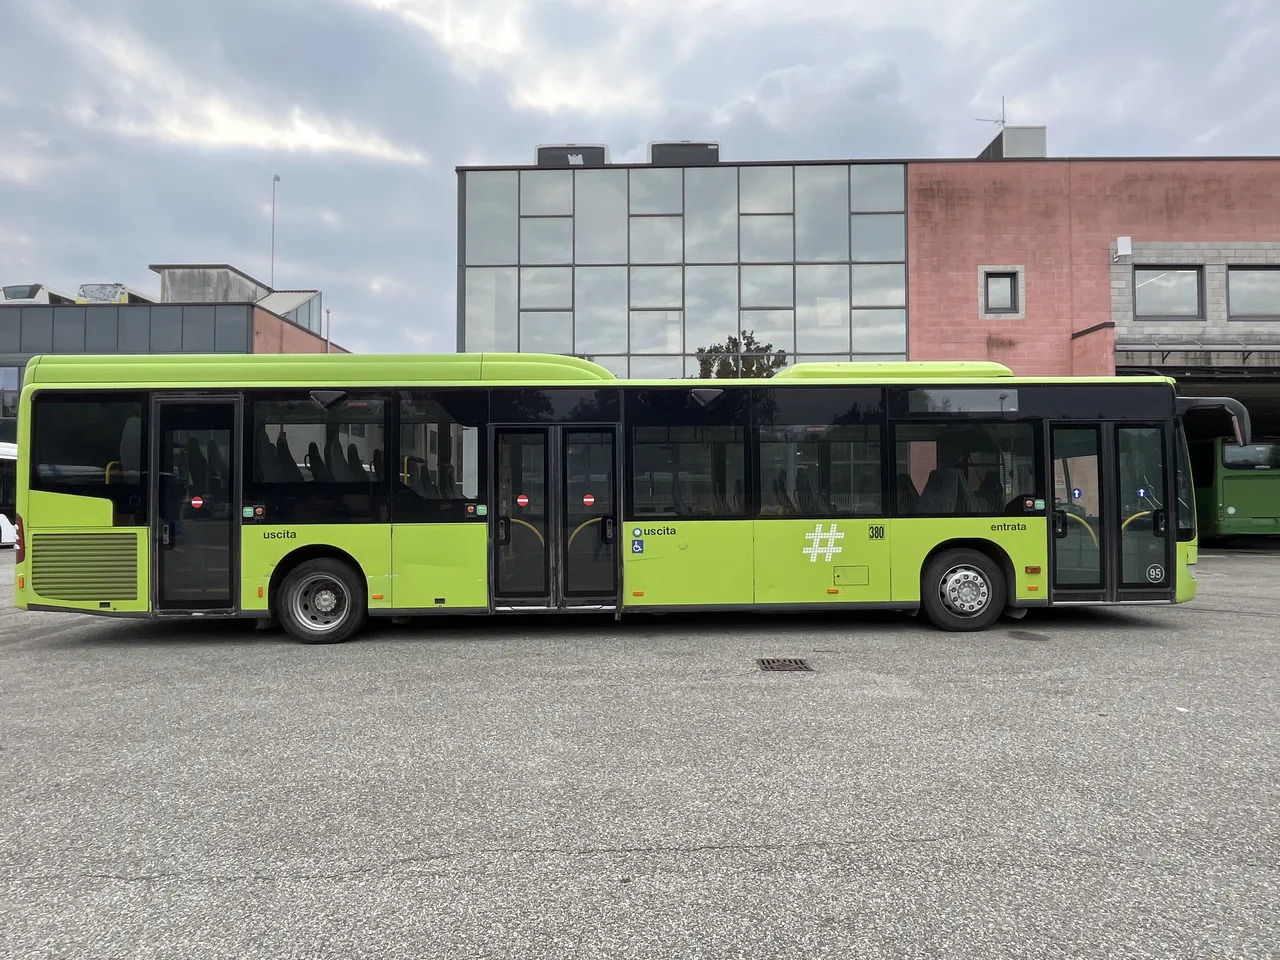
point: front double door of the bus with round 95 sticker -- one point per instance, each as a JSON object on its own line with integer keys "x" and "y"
{"x": 1113, "y": 524}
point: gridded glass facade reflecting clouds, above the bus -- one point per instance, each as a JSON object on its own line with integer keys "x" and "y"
{"x": 637, "y": 267}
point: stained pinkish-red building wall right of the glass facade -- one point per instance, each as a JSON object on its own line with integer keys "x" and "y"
{"x": 1057, "y": 223}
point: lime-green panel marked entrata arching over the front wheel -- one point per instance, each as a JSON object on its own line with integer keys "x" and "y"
{"x": 1025, "y": 540}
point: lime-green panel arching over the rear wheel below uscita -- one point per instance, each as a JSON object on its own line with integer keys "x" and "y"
{"x": 264, "y": 546}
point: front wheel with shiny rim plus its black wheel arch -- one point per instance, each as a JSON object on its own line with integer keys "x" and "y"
{"x": 966, "y": 584}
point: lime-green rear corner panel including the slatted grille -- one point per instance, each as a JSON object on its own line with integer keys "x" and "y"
{"x": 84, "y": 563}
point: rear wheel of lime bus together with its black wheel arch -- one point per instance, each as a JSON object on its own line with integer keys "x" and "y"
{"x": 319, "y": 595}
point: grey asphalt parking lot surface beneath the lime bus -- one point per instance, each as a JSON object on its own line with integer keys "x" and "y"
{"x": 1076, "y": 784}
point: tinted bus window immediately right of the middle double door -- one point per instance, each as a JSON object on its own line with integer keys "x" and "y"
{"x": 688, "y": 459}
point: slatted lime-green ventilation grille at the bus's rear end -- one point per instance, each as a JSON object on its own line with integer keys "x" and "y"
{"x": 85, "y": 566}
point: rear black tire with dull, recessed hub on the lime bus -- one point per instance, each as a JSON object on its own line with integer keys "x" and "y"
{"x": 322, "y": 602}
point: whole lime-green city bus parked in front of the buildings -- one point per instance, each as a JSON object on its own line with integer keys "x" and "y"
{"x": 319, "y": 491}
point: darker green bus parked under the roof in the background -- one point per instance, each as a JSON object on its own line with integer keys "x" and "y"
{"x": 1237, "y": 487}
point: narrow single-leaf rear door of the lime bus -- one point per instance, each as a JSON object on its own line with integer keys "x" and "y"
{"x": 195, "y": 505}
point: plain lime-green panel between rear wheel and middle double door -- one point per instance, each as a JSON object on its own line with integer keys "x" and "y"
{"x": 441, "y": 566}
